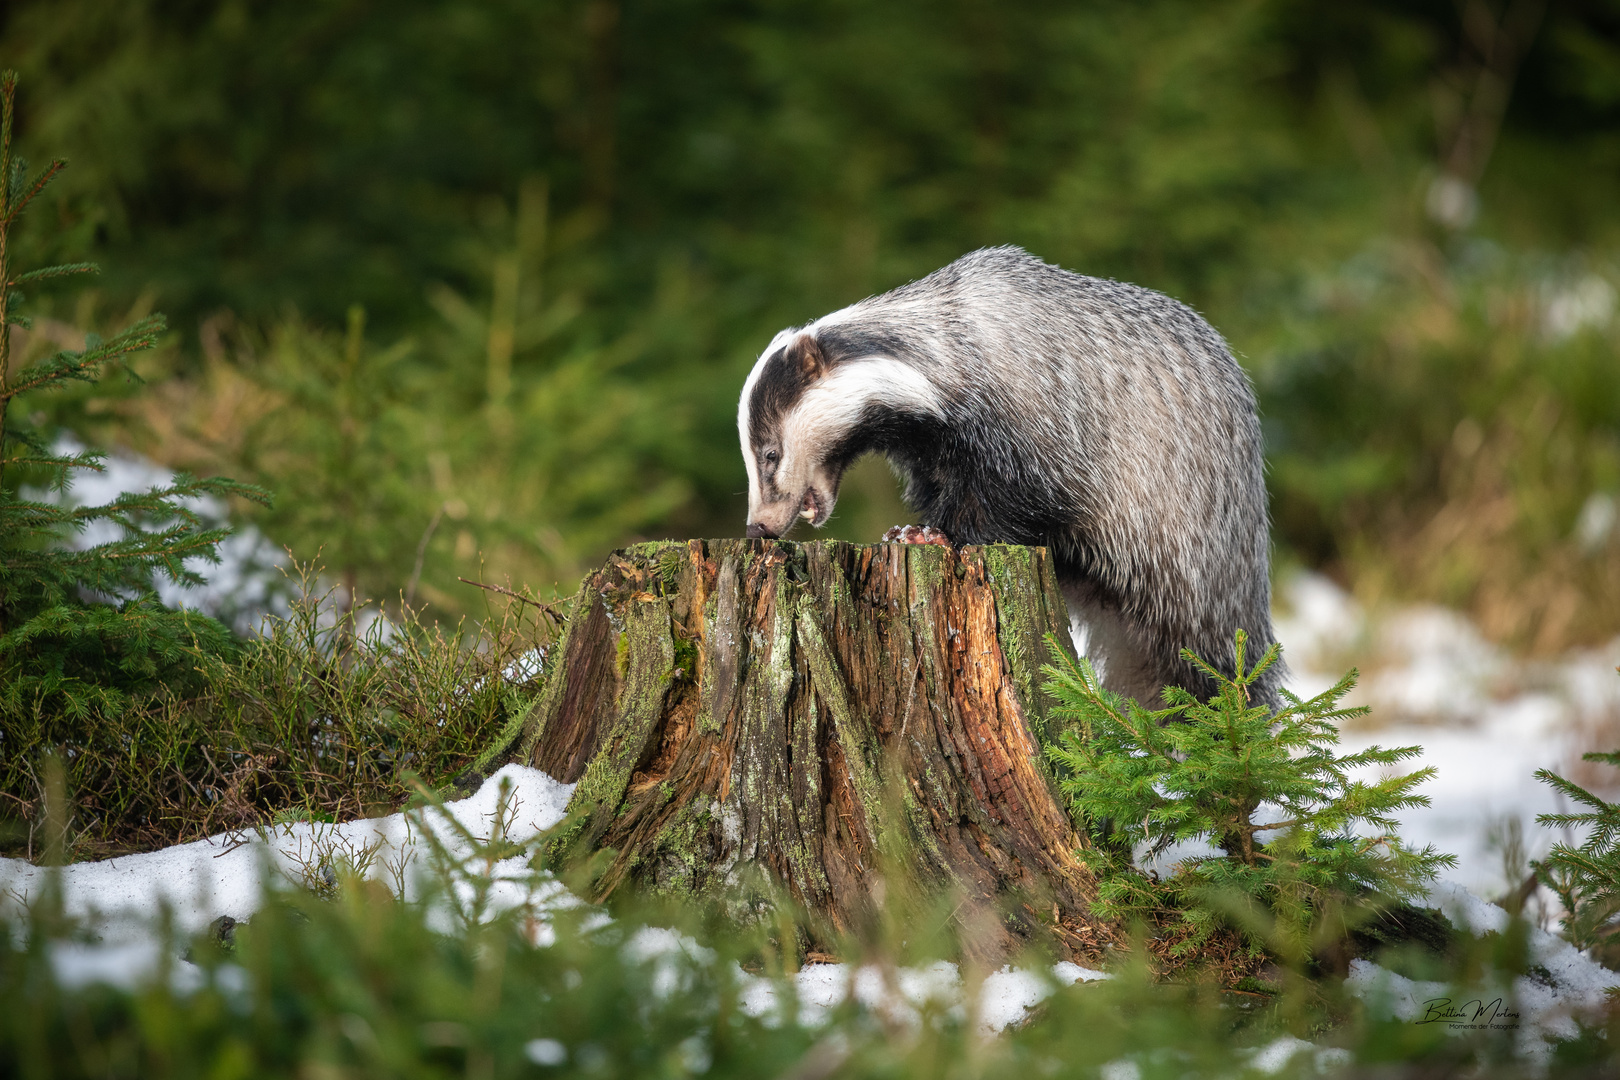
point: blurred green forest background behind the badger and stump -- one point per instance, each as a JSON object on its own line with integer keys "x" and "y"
{"x": 472, "y": 284}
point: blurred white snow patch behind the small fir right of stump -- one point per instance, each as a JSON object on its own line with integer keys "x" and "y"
{"x": 1486, "y": 721}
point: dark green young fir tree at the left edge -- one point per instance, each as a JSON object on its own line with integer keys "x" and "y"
{"x": 80, "y": 624}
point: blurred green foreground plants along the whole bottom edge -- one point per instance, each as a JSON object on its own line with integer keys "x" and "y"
{"x": 344, "y": 977}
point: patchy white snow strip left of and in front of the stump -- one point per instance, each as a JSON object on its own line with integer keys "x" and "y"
{"x": 124, "y": 901}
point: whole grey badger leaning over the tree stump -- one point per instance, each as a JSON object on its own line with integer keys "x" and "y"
{"x": 1025, "y": 404}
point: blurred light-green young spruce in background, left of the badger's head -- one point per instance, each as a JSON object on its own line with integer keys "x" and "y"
{"x": 574, "y": 446}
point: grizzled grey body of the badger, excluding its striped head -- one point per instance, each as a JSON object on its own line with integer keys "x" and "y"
{"x": 1099, "y": 419}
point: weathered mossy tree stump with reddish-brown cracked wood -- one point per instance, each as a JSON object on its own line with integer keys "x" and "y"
{"x": 772, "y": 720}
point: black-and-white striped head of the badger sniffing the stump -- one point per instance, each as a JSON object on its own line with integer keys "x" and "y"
{"x": 804, "y": 417}
